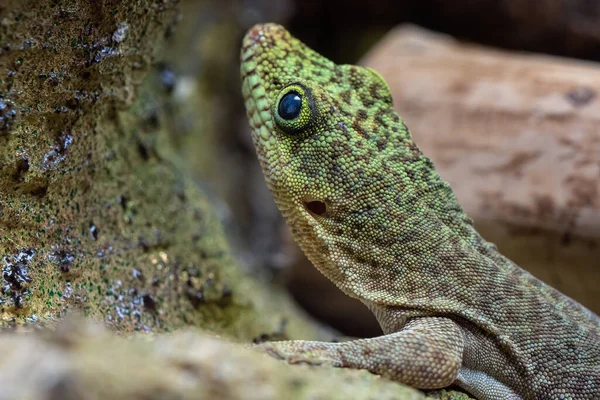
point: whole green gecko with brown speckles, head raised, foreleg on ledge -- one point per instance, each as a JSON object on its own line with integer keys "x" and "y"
{"x": 372, "y": 214}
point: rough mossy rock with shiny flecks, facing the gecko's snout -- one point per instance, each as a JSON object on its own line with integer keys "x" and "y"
{"x": 93, "y": 213}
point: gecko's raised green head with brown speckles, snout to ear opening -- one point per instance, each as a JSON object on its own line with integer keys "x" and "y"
{"x": 323, "y": 133}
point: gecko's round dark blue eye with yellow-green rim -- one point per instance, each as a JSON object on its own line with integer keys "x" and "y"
{"x": 294, "y": 109}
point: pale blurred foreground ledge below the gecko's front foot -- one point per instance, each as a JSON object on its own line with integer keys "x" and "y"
{"x": 83, "y": 362}
